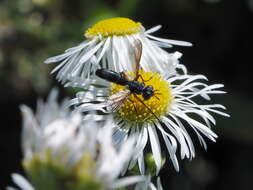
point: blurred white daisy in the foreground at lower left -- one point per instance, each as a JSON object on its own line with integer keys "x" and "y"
{"x": 61, "y": 150}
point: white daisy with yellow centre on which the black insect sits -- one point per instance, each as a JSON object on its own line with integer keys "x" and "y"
{"x": 170, "y": 111}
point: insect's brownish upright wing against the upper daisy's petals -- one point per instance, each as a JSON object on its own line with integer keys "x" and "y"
{"x": 137, "y": 55}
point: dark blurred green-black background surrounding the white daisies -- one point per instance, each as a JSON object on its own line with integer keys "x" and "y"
{"x": 222, "y": 34}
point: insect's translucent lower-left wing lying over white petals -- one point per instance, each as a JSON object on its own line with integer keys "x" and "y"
{"x": 115, "y": 101}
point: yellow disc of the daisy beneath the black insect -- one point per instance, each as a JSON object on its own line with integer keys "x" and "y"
{"x": 133, "y": 111}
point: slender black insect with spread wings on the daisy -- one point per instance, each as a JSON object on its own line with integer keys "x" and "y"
{"x": 133, "y": 86}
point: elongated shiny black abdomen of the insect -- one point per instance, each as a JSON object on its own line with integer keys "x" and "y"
{"x": 111, "y": 76}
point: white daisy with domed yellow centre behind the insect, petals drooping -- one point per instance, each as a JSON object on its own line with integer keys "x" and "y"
{"x": 108, "y": 44}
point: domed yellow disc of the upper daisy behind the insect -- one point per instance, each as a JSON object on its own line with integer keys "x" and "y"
{"x": 114, "y": 27}
